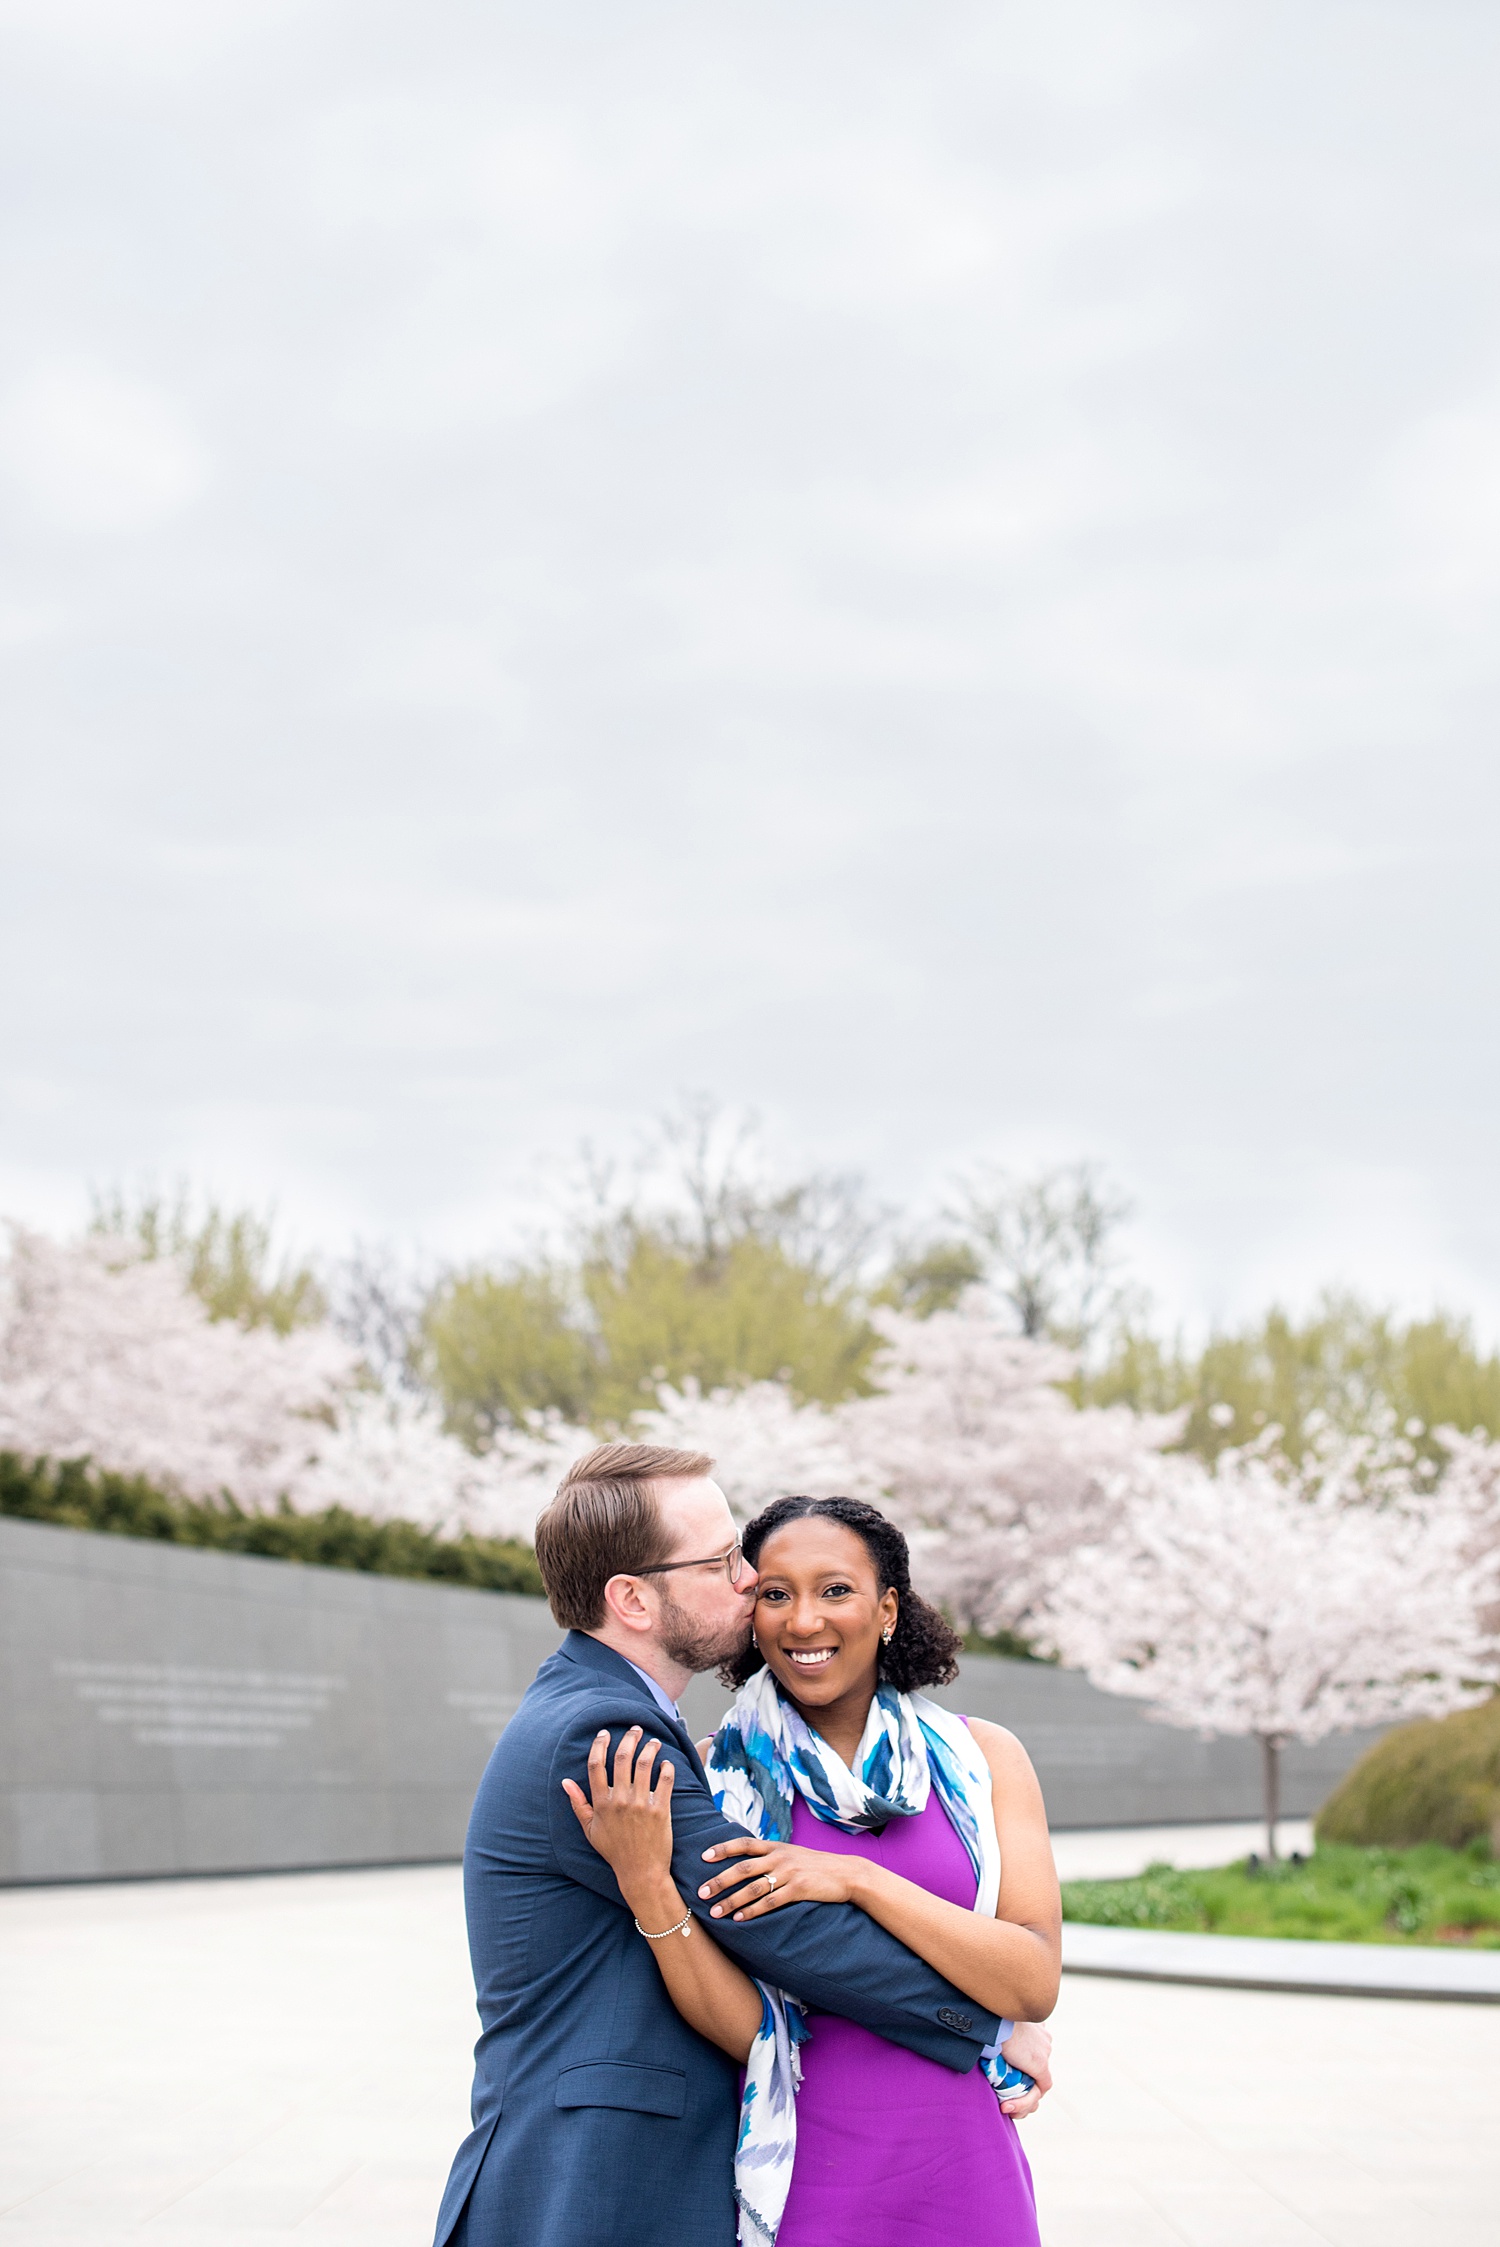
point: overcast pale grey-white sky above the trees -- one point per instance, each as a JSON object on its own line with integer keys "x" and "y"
{"x": 929, "y": 570}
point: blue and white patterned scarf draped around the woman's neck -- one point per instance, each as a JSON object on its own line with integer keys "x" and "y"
{"x": 762, "y": 1756}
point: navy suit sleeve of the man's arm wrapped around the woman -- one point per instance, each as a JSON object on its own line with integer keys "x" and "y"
{"x": 830, "y": 1956}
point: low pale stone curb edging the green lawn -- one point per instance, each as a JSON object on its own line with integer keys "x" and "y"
{"x": 1274, "y": 1963}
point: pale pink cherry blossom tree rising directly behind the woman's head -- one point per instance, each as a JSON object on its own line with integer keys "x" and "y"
{"x": 985, "y": 1462}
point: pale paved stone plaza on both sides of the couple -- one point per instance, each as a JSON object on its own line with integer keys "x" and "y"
{"x": 257, "y": 2064}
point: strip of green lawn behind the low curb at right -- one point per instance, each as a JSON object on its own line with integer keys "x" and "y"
{"x": 1425, "y": 1895}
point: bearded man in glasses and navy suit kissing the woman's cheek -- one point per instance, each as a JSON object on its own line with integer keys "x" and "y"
{"x": 601, "y": 2118}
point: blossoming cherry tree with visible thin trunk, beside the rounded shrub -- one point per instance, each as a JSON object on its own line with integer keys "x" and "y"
{"x": 1270, "y": 1603}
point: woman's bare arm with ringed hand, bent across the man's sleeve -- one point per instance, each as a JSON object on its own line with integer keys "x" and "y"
{"x": 1009, "y": 1965}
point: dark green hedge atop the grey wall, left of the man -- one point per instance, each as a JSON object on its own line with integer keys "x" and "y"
{"x": 82, "y": 1498}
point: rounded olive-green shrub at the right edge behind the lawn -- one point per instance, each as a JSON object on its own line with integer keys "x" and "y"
{"x": 1434, "y": 1781}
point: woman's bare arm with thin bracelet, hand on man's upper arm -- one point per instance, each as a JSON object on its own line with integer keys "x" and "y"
{"x": 630, "y": 1823}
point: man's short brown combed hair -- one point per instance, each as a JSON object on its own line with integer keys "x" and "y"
{"x": 607, "y": 1520}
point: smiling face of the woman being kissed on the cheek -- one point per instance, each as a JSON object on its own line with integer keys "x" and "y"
{"x": 821, "y": 1612}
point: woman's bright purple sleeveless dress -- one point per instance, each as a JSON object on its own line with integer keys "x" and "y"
{"x": 893, "y": 2149}
